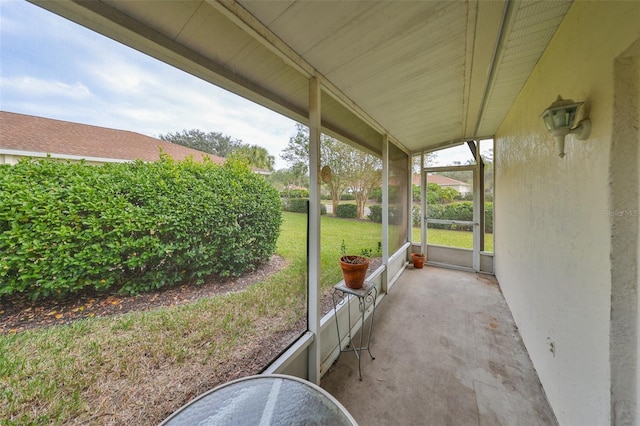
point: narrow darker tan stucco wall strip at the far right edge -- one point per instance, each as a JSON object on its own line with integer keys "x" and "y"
{"x": 624, "y": 195}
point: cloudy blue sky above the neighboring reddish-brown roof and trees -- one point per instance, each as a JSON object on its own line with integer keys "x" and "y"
{"x": 51, "y": 67}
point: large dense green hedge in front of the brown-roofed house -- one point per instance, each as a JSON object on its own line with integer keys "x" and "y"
{"x": 130, "y": 227}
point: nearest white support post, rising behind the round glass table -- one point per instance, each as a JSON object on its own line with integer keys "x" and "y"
{"x": 314, "y": 290}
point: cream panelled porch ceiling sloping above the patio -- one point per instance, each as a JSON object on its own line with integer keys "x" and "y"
{"x": 425, "y": 73}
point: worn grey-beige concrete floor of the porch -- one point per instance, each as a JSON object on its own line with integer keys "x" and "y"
{"x": 447, "y": 352}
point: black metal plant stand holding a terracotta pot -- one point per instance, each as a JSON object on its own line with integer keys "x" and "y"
{"x": 366, "y": 295}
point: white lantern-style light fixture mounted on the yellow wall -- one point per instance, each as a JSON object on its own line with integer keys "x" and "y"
{"x": 559, "y": 119}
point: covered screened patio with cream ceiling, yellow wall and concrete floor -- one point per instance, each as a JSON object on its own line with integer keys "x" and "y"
{"x": 400, "y": 80}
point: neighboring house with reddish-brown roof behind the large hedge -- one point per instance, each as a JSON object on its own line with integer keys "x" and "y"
{"x": 37, "y": 137}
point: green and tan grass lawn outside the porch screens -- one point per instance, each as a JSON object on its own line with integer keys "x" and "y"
{"x": 139, "y": 367}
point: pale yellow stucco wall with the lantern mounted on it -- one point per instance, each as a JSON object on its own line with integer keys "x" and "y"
{"x": 552, "y": 230}
